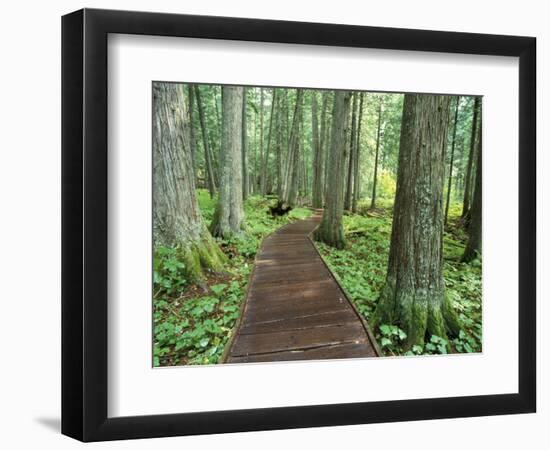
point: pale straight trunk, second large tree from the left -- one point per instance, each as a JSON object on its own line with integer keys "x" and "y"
{"x": 229, "y": 214}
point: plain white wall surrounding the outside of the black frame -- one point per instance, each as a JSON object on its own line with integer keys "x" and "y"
{"x": 30, "y": 388}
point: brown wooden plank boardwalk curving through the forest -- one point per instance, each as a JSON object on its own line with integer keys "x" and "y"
{"x": 295, "y": 309}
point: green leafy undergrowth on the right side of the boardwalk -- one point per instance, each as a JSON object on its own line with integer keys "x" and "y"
{"x": 361, "y": 269}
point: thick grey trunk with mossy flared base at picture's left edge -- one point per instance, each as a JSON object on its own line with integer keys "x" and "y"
{"x": 177, "y": 221}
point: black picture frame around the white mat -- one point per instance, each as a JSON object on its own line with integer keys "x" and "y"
{"x": 84, "y": 224}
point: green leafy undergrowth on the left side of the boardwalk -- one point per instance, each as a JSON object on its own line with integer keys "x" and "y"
{"x": 192, "y": 323}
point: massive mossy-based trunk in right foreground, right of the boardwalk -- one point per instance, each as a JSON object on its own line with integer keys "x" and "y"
{"x": 414, "y": 294}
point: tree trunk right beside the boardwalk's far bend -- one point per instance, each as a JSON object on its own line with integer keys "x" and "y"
{"x": 331, "y": 230}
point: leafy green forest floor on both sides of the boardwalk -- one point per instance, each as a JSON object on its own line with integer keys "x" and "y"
{"x": 192, "y": 324}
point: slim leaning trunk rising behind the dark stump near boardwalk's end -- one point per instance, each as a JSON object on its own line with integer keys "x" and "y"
{"x": 290, "y": 185}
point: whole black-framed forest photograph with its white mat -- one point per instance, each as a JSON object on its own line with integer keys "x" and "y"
{"x": 273, "y": 224}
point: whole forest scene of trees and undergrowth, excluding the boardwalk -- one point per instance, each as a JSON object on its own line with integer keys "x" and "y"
{"x": 399, "y": 180}
